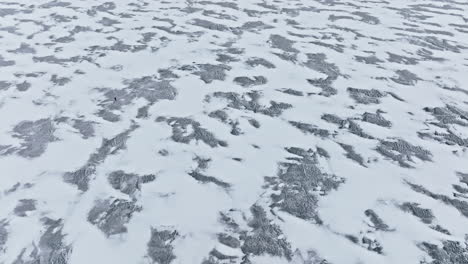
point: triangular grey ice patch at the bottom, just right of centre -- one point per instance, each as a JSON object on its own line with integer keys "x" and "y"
{"x": 264, "y": 237}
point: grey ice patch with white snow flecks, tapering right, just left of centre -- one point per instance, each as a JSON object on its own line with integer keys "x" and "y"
{"x": 180, "y": 127}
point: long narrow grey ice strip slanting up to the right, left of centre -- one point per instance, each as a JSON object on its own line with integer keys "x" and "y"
{"x": 82, "y": 176}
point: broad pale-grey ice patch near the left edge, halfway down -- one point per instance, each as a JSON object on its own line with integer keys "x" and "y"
{"x": 36, "y": 135}
